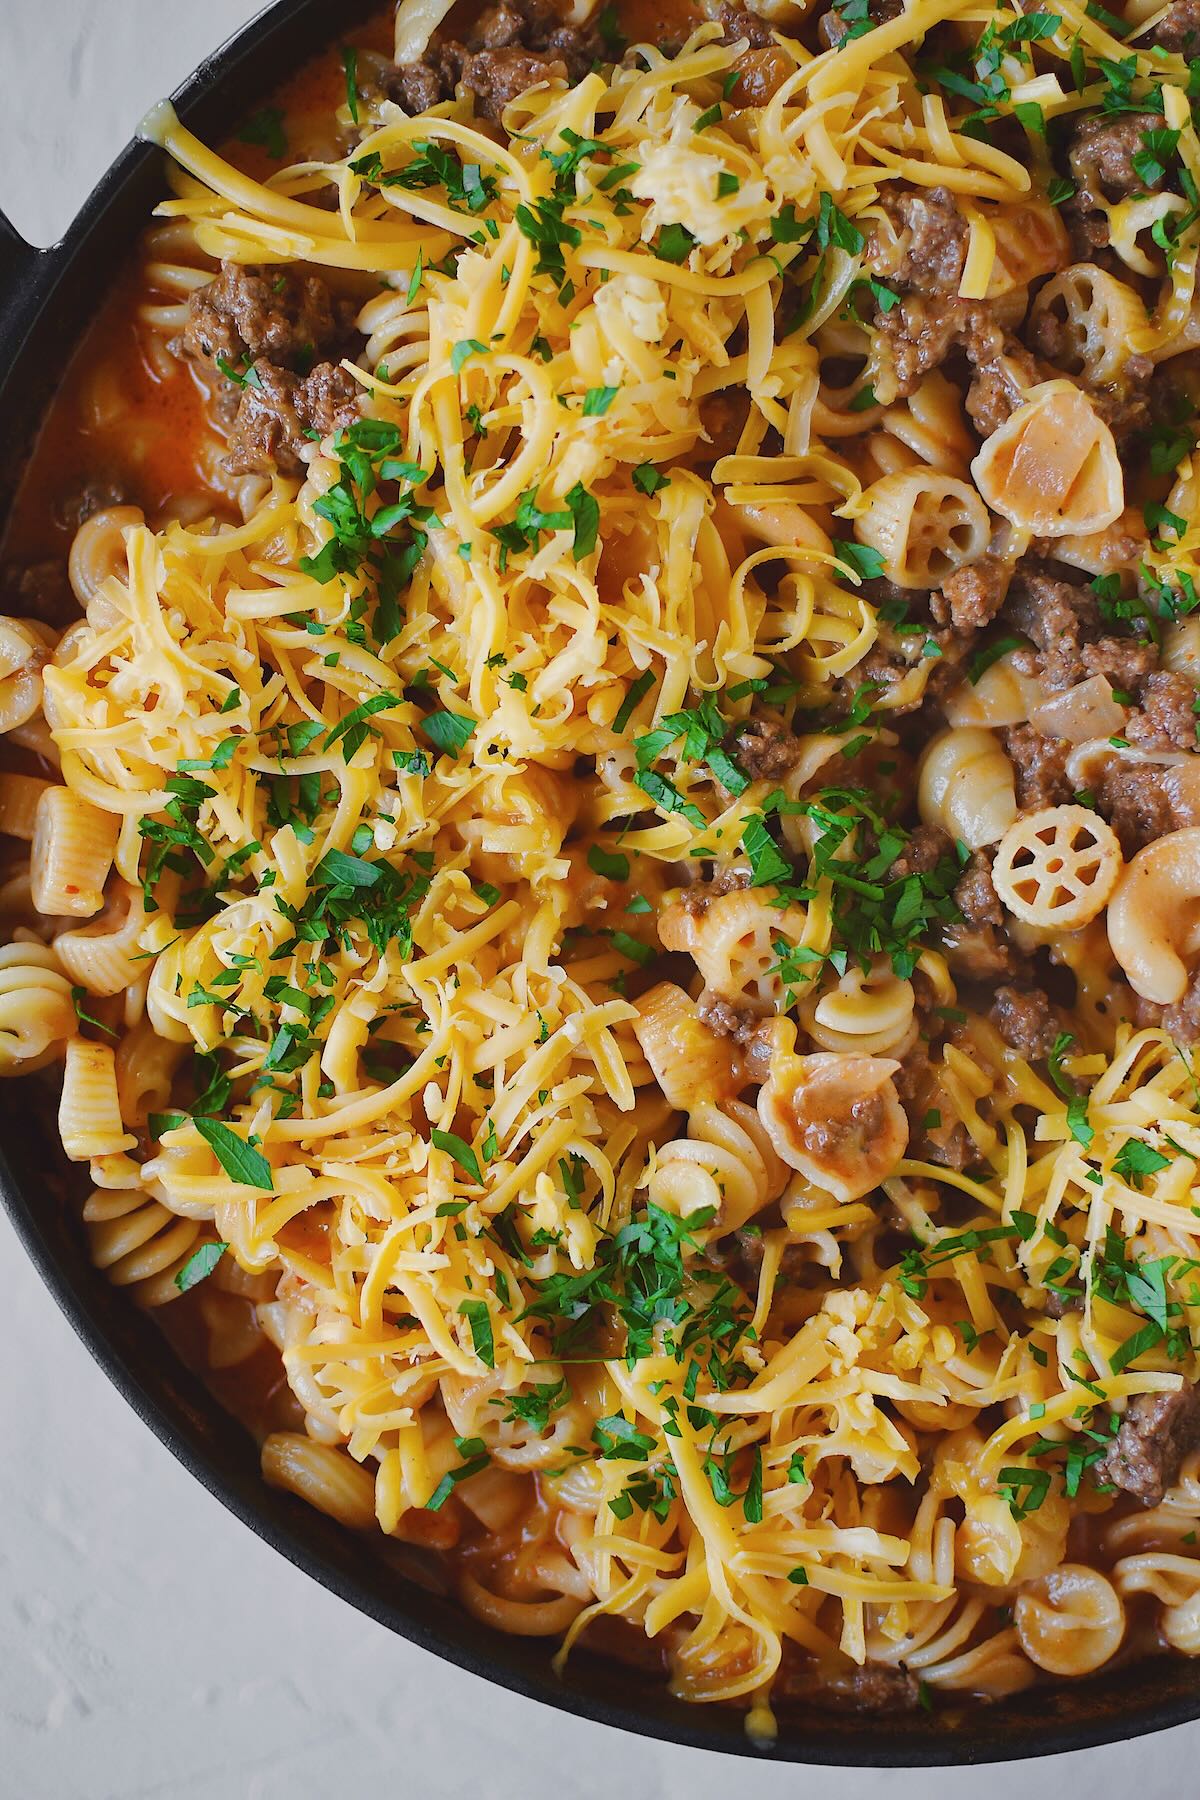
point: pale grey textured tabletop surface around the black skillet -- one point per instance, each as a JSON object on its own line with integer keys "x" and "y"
{"x": 150, "y": 1646}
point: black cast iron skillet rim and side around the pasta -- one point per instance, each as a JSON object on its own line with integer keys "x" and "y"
{"x": 46, "y": 303}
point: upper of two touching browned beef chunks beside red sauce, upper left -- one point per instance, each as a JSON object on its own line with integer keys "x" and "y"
{"x": 249, "y": 314}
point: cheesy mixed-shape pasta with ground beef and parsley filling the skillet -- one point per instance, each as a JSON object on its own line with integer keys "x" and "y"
{"x": 602, "y": 822}
